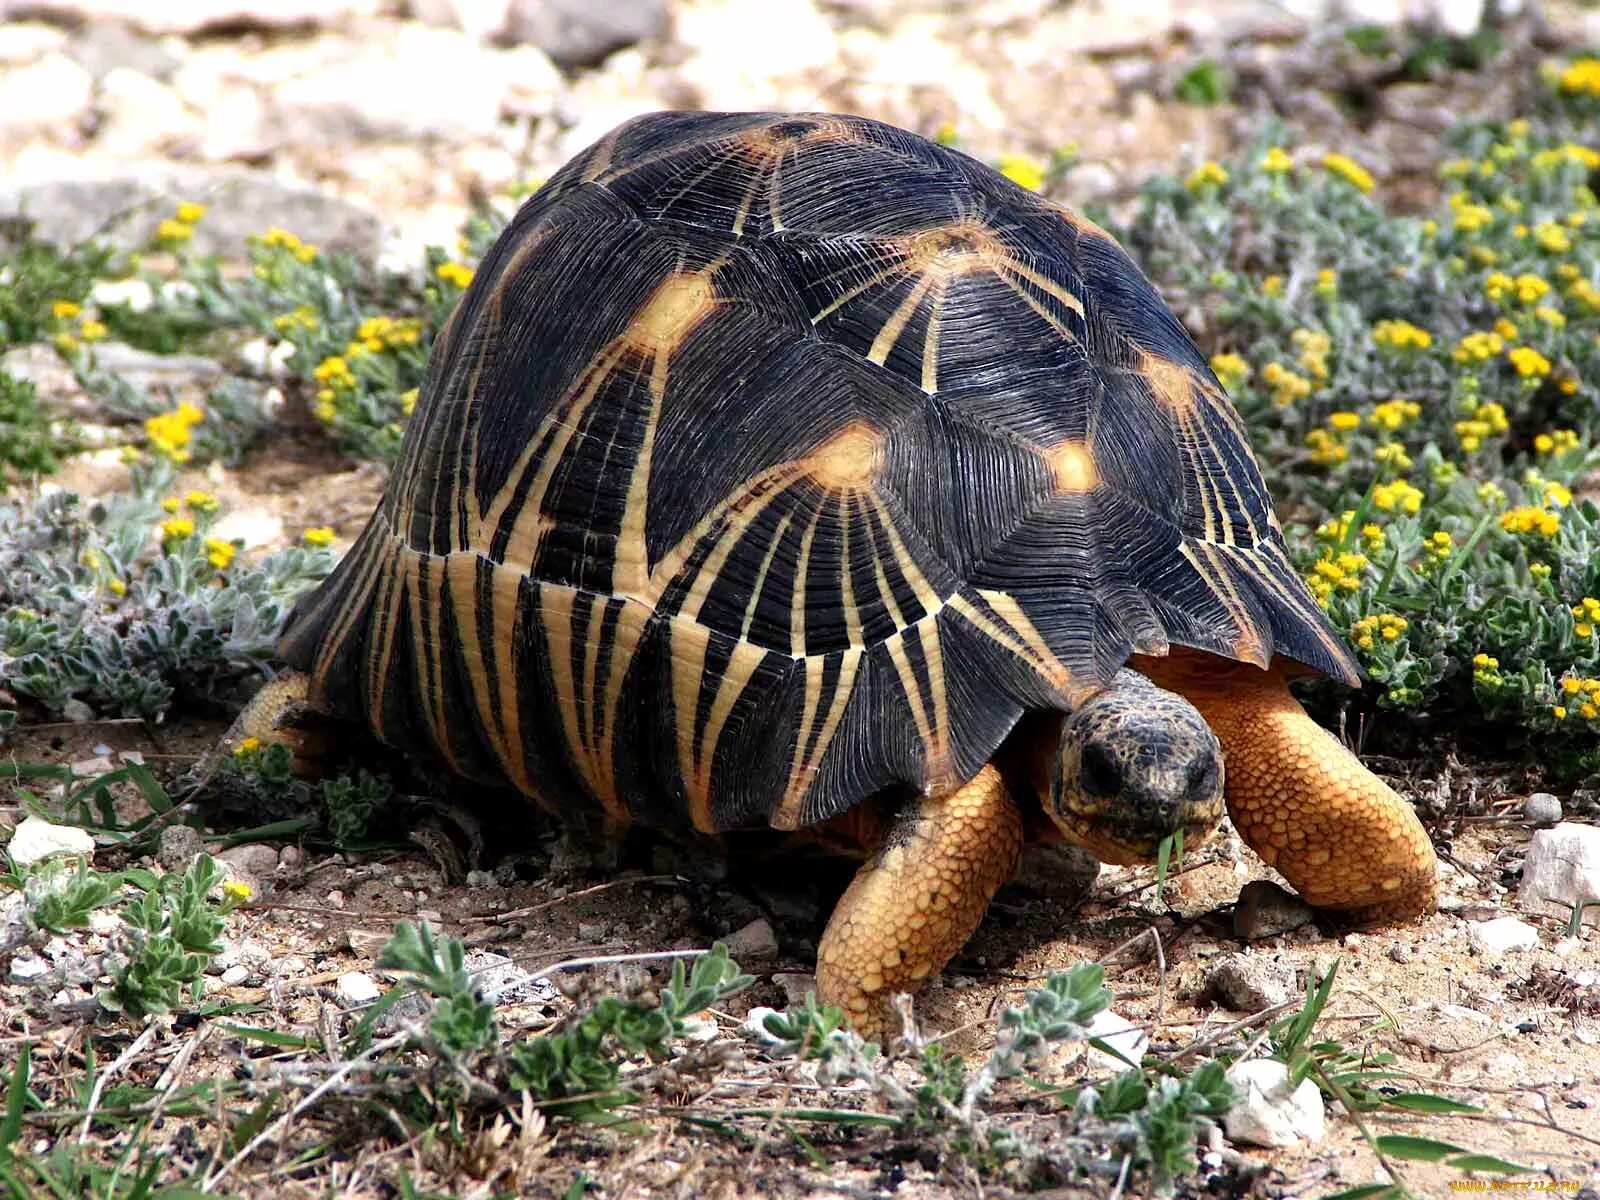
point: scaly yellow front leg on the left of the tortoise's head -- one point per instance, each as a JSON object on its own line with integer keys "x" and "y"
{"x": 918, "y": 900}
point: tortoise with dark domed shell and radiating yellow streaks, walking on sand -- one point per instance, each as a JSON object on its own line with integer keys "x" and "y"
{"x": 794, "y": 471}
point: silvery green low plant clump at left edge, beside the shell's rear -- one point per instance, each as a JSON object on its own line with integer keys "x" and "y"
{"x": 98, "y": 606}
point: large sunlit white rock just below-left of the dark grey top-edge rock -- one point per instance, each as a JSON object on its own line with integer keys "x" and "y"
{"x": 374, "y": 94}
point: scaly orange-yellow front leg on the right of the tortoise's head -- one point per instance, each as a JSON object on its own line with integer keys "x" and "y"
{"x": 1302, "y": 801}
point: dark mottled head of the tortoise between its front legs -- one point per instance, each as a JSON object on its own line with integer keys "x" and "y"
{"x": 1135, "y": 764}
